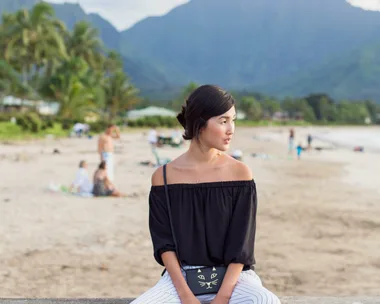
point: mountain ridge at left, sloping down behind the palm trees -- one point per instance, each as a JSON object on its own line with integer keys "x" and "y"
{"x": 143, "y": 74}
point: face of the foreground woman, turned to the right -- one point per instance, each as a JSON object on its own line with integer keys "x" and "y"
{"x": 219, "y": 131}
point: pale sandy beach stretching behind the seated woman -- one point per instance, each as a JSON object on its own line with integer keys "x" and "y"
{"x": 317, "y": 231}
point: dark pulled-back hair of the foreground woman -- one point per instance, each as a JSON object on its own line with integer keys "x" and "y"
{"x": 203, "y": 103}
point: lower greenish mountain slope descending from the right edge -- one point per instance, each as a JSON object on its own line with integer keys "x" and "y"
{"x": 353, "y": 76}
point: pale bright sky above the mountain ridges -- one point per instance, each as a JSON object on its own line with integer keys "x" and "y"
{"x": 124, "y": 13}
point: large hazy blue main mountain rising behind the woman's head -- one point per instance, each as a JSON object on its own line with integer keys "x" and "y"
{"x": 252, "y": 44}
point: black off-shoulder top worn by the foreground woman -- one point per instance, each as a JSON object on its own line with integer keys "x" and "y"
{"x": 215, "y": 222}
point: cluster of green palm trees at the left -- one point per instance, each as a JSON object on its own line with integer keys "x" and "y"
{"x": 71, "y": 68}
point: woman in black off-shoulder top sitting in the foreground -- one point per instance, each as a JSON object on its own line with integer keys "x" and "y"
{"x": 212, "y": 205}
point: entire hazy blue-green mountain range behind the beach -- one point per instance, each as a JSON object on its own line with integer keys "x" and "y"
{"x": 279, "y": 47}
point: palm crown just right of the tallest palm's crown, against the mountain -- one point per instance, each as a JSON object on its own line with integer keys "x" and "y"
{"x": 84, "y": 42}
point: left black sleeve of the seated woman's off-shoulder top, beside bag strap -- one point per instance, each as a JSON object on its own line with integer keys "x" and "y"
{"x": 159, "y": 226}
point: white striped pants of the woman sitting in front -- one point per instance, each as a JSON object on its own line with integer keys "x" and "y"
{"x": 248, "y": 290}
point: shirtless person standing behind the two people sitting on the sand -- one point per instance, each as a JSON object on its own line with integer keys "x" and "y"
{"x": 106, "y": 148}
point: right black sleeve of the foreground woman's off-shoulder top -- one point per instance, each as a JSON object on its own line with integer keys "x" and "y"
{"x": 240, "y": 239}
